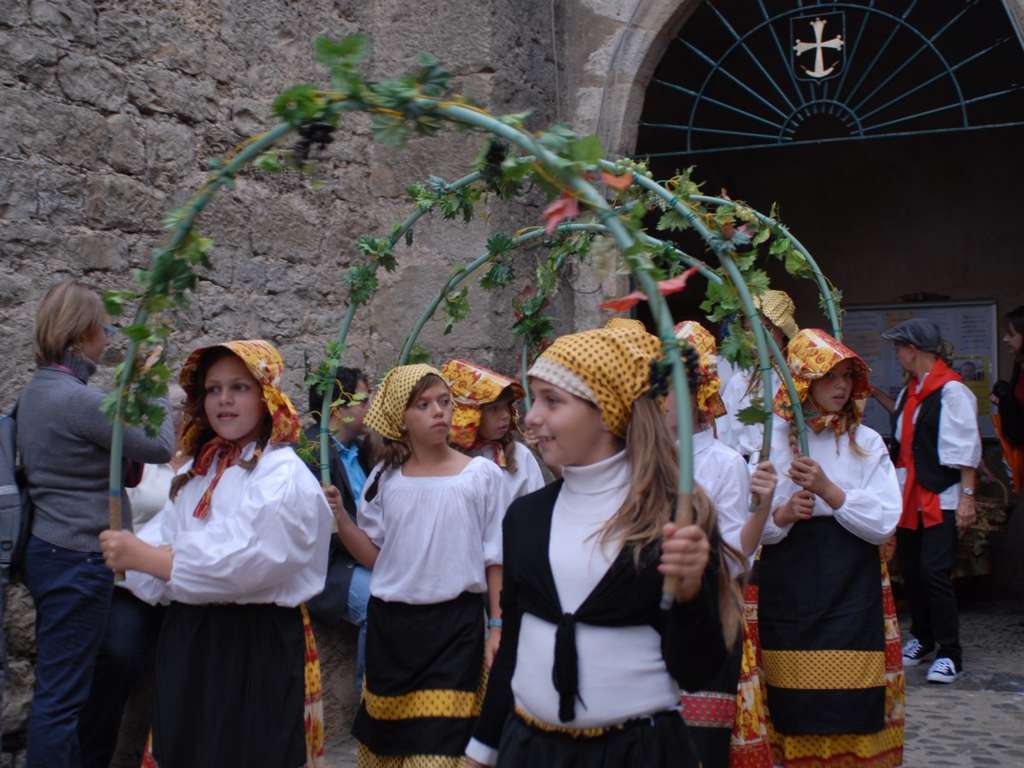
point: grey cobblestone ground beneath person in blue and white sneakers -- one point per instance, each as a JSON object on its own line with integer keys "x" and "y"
{"x": 976, "y": 722}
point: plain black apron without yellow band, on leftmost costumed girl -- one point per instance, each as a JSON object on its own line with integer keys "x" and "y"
{"x": 231, "y": 688}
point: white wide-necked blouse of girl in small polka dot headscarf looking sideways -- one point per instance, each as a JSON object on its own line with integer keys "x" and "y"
{"x": 437, "y": 535}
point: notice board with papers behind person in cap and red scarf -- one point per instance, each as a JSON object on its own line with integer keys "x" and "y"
{"x": 970, "y": 326}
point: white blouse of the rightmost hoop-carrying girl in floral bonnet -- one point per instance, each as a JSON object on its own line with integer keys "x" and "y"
{"x": 874, "y": 502}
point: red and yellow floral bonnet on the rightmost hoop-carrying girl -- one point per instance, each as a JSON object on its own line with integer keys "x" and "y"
{"x": 812, "y": 355}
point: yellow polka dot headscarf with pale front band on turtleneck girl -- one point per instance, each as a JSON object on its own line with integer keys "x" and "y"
{"x": 610, "y": 367}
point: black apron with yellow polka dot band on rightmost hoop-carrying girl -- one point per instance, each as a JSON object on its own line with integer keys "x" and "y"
{"x": 823, "y": 632}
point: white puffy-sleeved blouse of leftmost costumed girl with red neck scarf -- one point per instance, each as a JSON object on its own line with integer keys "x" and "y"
{"x": 266, "y": 539}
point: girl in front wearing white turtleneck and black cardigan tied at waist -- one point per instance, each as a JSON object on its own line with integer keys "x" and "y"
{"x": 587, "y": 650}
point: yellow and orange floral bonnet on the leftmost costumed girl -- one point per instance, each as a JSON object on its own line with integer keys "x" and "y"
{"x": 266, "y": 365}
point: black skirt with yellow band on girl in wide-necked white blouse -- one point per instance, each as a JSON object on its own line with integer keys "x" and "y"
{"x": 423, "y": 687}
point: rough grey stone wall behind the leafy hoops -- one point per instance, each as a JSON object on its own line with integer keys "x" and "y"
{"x": 112, "y": 111}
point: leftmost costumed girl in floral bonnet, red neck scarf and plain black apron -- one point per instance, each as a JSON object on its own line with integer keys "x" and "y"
{"x": 241, "y": 545}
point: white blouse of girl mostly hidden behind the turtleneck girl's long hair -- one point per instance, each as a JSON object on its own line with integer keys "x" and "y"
{"x": 724, "y": 477}
